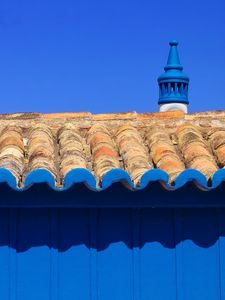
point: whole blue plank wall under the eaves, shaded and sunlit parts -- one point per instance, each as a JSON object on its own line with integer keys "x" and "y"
{"x": 111, "y": 253}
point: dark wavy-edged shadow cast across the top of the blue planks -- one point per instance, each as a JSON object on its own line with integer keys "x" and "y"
{"x": 64, "y": 228}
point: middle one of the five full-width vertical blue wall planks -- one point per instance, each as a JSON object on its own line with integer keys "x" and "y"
{"x": 115, "y": 254}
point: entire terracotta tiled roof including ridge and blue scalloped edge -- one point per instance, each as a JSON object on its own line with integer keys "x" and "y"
{"x": 135, "y": 149}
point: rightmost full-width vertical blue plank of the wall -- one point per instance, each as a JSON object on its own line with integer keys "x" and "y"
{"x": 200, "y": 255}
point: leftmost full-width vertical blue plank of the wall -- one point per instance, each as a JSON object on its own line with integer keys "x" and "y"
{"x": 33, "y": 254}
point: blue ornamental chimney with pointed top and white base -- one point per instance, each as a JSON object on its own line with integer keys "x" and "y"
{"x": 173, "y": 84}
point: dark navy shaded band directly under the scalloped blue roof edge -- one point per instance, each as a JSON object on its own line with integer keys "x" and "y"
{"x": 154, "y": 195}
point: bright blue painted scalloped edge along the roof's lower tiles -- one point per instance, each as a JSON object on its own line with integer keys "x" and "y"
{"x": 80, "y": 175}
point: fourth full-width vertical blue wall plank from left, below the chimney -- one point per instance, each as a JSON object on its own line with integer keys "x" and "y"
{"x": 158, "y": 272}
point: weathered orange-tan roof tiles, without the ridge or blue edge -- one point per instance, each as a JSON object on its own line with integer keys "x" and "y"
{"x": 102, "y": 148}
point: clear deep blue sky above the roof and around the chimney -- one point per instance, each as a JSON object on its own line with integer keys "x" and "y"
{"x": 105, "y": 56}
